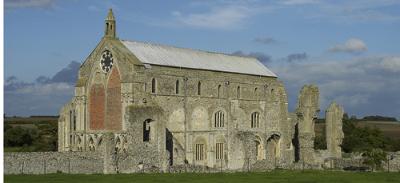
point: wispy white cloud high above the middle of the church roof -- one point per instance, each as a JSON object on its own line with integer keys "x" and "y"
{"x": 225, "y": 17}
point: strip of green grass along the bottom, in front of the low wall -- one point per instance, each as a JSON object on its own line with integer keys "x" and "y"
{"x": 276, "y": 176}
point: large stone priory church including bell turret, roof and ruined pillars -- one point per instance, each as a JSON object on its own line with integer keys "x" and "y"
{"x": 163, "y": 106}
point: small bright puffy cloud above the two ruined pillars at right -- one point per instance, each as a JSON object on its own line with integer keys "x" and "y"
{"x": 352, "y": 45}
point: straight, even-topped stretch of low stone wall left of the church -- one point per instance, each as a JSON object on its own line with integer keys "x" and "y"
{"x": 52, "y": 162}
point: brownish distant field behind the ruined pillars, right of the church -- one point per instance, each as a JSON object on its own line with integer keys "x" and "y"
{"x": 389, "y": 129}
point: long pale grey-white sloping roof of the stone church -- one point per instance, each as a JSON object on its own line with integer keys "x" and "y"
{"x": 195, "y": 59}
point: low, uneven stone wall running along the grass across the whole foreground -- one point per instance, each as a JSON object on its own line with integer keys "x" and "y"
{"x": 94, "y": 162}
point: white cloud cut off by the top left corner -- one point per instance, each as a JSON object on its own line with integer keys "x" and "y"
{"x": 11, "y": 4}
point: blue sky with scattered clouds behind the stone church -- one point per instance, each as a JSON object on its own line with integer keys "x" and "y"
{"x": 349, "y": 48}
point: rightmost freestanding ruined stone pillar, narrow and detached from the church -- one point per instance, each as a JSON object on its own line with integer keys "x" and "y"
{"x": 334, "y": 132}
